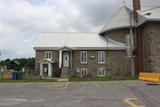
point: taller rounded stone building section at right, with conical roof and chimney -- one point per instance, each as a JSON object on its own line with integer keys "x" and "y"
{"x": 143, "y": 25}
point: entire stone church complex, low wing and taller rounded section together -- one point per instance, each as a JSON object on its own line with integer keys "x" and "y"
{"x": 132, "y": 34}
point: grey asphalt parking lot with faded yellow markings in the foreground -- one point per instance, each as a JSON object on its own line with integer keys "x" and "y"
{"x": 80, "y": 94}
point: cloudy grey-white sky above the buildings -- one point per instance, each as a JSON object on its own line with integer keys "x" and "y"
{"x": 22, "y": 21}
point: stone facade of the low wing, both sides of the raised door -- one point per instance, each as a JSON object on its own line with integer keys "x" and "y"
{"x": 114, "y": 62}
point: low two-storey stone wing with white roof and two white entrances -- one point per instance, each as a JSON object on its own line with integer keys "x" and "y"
{"x": 79, "y": 54}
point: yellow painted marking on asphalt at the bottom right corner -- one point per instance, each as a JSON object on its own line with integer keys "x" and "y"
{"x": 130, "y": 102}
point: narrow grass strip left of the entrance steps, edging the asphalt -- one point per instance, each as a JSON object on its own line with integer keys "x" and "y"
{"x": 38, "y": 80}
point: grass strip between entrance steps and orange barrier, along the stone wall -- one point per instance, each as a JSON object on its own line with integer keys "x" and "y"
{"x": 106, "y": 78}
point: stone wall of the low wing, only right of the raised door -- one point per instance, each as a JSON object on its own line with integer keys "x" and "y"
{"x": 114, "y": 62}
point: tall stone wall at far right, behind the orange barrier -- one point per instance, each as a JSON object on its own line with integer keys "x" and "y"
{"x": 151, "y": 46}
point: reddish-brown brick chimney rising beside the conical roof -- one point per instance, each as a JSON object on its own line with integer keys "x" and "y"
{"x": 136, "y": 6}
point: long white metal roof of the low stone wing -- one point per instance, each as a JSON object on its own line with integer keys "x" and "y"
{"x": 76, "y": 41}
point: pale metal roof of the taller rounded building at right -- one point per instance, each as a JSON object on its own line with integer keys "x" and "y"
{"x": 123, "y": 18}
